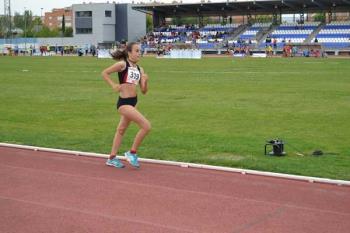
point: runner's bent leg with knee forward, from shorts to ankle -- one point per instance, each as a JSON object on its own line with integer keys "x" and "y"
{"x": 132, "y": 114}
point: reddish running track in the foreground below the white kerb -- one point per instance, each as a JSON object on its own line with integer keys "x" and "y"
{"x": 51, "y": 192}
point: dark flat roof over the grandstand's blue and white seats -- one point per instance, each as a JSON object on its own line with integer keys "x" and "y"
{"x": 243, "y": 7}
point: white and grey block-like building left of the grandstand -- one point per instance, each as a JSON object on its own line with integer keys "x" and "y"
{"x": 105, "y": 23}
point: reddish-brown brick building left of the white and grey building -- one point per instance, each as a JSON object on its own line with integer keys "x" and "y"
{"x": 54, "y": 19}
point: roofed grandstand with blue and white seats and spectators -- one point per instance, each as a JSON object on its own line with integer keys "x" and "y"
{"x": 331, "y": 35}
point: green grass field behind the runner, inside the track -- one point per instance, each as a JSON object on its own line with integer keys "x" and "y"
{"x": 216, "y": 111}
